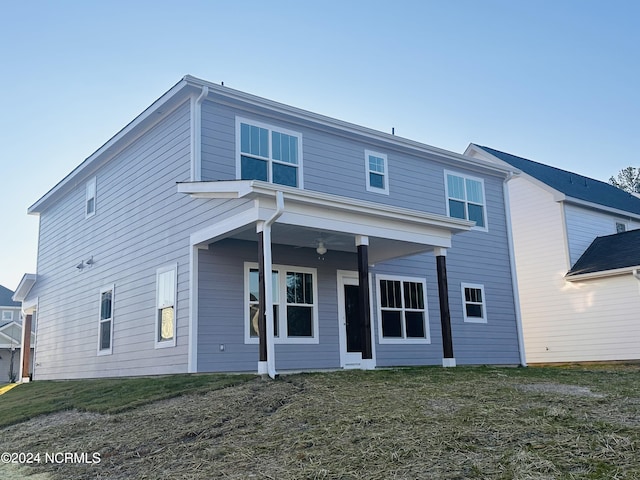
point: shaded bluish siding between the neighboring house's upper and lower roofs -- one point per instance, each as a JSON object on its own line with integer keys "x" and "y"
{"x": 584, "y": 225}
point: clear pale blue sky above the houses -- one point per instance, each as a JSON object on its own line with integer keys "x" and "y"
{"x": 556, "y": 81}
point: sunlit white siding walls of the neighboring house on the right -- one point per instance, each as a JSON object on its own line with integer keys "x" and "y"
{"x": 595, "y": 320}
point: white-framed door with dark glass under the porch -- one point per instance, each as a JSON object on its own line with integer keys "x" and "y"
{"x": 349, "y": 322}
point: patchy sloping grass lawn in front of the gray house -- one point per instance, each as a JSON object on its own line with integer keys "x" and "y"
{"x": 462, "y": 423}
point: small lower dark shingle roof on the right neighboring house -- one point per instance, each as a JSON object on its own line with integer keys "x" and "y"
{"x": 620, "y": 251}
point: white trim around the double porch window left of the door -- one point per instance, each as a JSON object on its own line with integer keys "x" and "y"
{"x": 282, "y": 303}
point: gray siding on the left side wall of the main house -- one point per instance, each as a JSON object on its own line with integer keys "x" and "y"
{"x": 138, "y": 227}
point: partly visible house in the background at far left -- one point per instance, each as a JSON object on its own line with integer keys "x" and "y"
{"x": 10, "y": 335}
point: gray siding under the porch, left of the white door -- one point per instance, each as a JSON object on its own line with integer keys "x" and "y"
{"x": 221, "y": 308}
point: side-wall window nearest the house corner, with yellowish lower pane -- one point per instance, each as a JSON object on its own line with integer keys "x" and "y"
{"x": 166, "y": 278}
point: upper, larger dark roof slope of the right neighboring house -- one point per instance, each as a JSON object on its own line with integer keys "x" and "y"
{"x": 572, "y": 184}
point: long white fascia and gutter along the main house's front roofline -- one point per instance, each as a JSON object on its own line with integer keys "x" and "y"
{"x": 351, "y": 128}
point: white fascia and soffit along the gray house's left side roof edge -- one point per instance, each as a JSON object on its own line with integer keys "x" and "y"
{"x": 163, "y": 105}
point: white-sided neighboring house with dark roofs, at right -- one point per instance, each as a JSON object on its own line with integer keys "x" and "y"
{"x": 577, "y": 256}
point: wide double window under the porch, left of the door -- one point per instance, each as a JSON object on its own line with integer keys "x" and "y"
{"x": 295, "y": 306}
